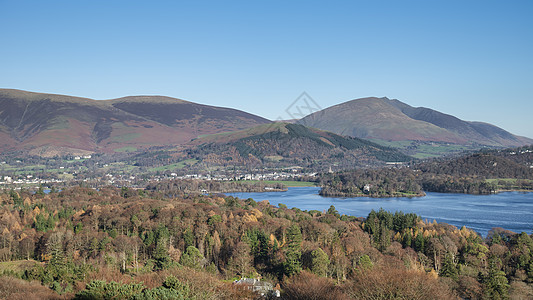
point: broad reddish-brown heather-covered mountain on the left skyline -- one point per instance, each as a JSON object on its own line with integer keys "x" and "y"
{"x": 48, "y": 124}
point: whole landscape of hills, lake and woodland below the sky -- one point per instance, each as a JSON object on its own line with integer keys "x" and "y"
{"x": 146, "y": 197}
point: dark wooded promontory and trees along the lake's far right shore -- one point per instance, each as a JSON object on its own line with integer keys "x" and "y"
{"x": 473, "y": 174}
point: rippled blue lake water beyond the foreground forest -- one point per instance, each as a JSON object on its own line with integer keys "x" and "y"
{"x": 509, "y": 210}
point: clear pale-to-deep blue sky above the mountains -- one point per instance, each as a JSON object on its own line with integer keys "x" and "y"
{"x": 471, "y": 59}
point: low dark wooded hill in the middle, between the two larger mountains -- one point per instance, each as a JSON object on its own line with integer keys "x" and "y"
{"x": 285, "y": 144}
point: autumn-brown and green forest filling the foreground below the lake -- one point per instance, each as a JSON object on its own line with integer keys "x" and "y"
{"x": 112, "y": 243}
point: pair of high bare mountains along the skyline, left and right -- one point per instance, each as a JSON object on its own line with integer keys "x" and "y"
{"x": 48, "y": 124}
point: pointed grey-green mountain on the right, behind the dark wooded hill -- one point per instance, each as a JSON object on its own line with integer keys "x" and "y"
{"x": 397, "y": 124}
